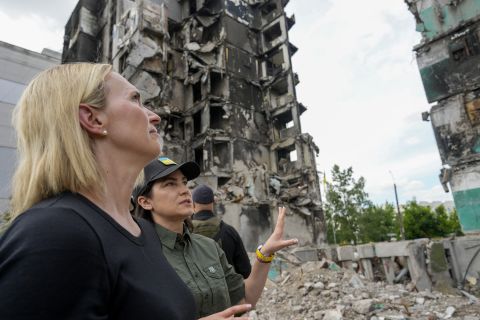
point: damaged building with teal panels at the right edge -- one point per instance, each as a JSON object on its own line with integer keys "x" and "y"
{"x": 448, "y": 59}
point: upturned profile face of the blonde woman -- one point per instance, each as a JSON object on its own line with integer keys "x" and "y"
{"x": 130, "y": 126}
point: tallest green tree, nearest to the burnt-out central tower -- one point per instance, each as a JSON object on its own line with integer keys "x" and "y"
{"x": 346, "y": 199}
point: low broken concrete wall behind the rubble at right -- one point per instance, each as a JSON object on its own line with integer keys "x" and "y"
{"x": 442, "y": 264}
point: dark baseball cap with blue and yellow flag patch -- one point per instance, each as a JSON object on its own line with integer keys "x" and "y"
{"x": 162, "y": 167}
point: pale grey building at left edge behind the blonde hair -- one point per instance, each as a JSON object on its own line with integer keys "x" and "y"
{"x": 18, "y": 67}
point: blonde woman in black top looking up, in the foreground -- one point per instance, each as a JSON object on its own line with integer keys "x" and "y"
{"x": 73, "y": 251}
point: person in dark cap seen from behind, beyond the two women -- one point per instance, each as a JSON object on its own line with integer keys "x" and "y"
{"x": 206, "y": 223}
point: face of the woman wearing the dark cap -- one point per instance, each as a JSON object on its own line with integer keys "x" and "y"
{"x": 171, "y": 199}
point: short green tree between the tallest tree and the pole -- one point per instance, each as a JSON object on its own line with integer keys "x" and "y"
{"x": 377, "y": 222}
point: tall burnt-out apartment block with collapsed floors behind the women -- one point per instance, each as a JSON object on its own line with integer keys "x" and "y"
{"x": 219, "y": 74}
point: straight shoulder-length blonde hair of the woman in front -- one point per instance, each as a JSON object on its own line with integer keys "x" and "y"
{"x": 54, "y": 152}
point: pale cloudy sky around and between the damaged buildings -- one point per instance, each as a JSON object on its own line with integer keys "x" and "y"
{"x": 358, "y": 79}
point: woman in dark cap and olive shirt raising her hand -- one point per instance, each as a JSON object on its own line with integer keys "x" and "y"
{"x": 165, "y": 200}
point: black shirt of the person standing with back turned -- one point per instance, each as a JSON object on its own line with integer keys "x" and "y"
{"x": 231, "y": 244}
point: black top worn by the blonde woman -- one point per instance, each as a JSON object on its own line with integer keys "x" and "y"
{"x": 65, "y": 258}
